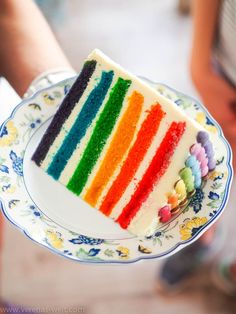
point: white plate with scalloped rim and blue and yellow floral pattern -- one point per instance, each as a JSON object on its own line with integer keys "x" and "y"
{"x": 31, "y": 200}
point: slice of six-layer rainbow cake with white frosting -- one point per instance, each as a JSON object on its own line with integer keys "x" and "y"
{"x": 125, "y": 149}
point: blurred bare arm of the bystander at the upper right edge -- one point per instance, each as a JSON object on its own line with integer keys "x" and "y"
{"x": 204, "y": 75}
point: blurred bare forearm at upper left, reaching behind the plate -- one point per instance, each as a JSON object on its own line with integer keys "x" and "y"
{"x": 28, "y": 45}
